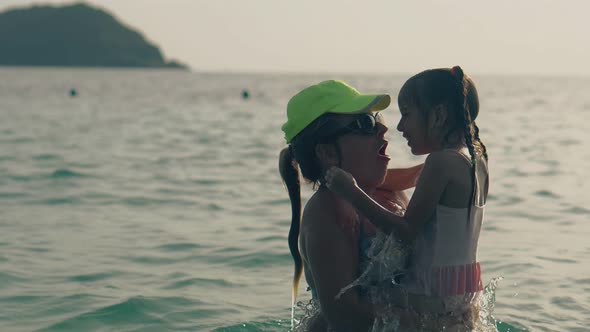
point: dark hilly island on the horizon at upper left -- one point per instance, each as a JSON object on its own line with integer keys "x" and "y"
{"x": 75, "y": 36}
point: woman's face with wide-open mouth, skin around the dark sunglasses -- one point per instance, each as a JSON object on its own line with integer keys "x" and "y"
{"x": 364, "y": 154}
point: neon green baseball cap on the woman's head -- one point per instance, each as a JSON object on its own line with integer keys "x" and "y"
{"x": 328, "y": 97}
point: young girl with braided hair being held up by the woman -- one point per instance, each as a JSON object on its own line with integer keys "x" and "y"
{"x": 444, "y": 216}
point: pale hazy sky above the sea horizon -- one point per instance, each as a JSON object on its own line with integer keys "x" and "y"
{"x": 391, "y": 36}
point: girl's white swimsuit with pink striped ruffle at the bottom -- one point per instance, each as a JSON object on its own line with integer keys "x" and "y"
{"x": 444, "y": 258}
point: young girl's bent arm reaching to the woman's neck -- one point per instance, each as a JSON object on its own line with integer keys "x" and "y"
{"x": 429, "y": 189}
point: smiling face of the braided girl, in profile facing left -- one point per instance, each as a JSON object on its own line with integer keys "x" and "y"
{"x": 413, "y": 127}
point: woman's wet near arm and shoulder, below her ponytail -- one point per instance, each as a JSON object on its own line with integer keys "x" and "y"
{"x": 331, "y": 252}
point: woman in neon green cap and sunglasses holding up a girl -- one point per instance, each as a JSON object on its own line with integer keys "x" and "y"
{"x": 332, "y": 124}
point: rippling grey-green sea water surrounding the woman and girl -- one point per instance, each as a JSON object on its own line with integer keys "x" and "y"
{"x": 151, "y": 201}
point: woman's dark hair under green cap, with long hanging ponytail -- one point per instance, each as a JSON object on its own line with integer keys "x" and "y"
{"x": 300, "y": 156}
